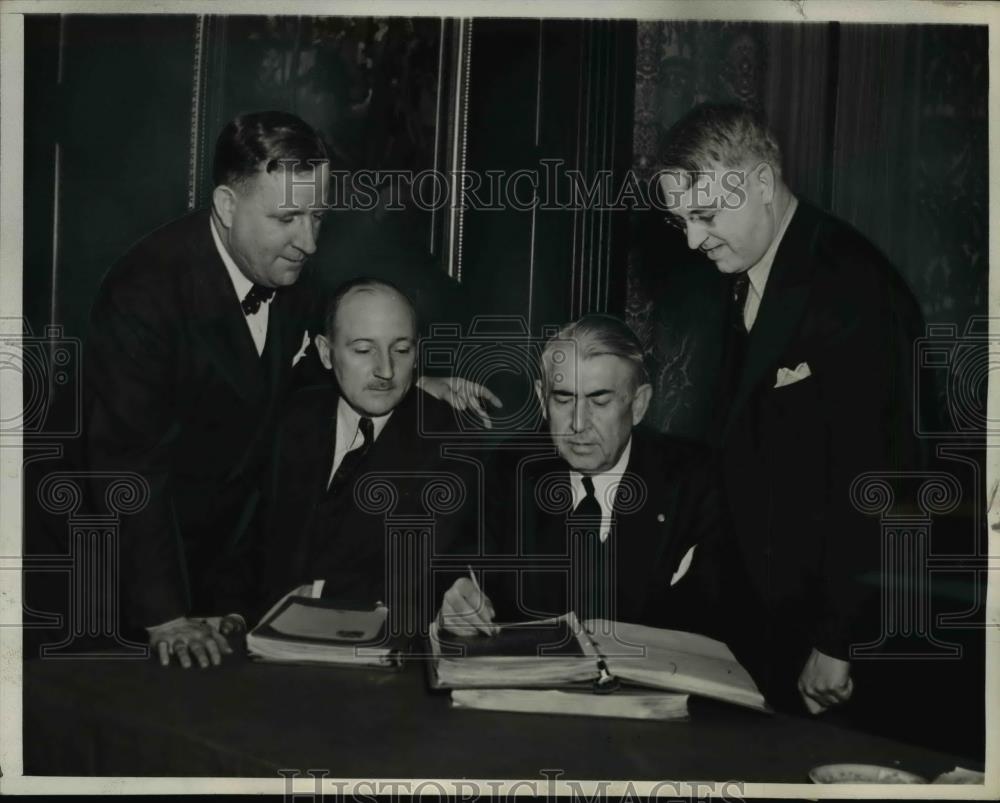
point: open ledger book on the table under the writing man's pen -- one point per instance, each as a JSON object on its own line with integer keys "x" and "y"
{"x": 558, "y": 654}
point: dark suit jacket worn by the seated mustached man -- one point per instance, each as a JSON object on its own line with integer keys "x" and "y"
{"x": 306, "y": 539}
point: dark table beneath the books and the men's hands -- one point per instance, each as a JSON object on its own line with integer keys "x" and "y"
{"x": 128, "y": 717}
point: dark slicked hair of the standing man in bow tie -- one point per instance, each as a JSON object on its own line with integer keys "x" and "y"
{"x": 265, "y": 138}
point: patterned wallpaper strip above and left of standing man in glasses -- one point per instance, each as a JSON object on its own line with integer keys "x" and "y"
{"x": 674, "y": 298}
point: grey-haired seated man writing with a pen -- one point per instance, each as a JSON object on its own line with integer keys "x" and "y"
{"x": 625, "y": 506}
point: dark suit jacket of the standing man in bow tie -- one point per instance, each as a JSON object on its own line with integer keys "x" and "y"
{"x": 175, "y": 392}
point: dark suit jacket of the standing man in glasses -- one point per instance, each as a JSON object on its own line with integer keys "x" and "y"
{"x": 806, "y": 559}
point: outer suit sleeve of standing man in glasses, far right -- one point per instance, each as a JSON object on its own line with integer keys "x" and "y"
{"x": 868, "y": 399}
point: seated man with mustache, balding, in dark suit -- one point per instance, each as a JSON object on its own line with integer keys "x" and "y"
{"x": 368, "y": 424}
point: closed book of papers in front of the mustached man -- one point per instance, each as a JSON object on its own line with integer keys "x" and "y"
{"x": 304, "y": 628}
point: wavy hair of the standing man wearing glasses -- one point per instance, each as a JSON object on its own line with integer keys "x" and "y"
{"x": 724, "y": 133}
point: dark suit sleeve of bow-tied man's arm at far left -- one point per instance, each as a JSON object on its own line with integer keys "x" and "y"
{"x": 130, "y": 425}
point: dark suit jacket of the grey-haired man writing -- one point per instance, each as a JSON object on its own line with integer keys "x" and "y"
{"x": 673, "y": 509}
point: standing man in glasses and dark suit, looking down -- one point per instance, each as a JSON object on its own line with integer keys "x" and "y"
{"x": 817, "y": 389}
